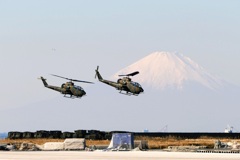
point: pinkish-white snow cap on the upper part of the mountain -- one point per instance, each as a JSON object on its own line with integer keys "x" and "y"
{"x": 163, "y": 70}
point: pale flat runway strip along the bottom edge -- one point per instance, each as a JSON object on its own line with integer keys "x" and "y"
{"x": 99, "y": 155}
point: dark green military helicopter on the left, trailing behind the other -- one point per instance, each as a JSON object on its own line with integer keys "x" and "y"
{"x": 67, "y": 88}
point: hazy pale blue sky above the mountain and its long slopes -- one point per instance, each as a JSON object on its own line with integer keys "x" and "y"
{"x": 70, "y": 38}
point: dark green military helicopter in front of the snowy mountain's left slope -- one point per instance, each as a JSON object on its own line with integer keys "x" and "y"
{"x": 123, "y": 84}
